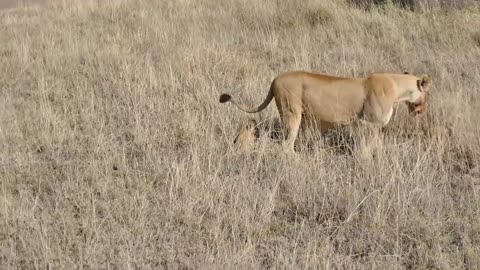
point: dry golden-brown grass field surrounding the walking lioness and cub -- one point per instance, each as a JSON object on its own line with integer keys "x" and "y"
{"x": 115, "y": 153}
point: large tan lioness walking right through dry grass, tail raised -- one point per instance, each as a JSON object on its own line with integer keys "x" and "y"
{"x": 324, "y": 101}
